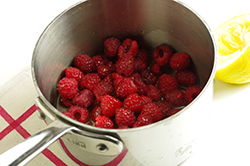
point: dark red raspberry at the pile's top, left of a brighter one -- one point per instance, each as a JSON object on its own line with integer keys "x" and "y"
{"x": 111, "y": 46}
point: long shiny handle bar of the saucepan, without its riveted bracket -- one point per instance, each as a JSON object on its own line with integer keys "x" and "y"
{"x": 29, "y": 148}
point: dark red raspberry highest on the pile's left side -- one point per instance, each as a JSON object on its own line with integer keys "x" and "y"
{"x": 84, "y": 63}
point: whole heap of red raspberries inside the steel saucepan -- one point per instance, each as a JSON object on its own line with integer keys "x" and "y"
{"x": 126, "y": 87}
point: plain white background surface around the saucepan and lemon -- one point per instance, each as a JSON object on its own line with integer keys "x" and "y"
{"x": 227, "y": 141}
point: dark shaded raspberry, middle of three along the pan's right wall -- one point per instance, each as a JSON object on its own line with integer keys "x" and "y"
{"x": 186, "y": 78}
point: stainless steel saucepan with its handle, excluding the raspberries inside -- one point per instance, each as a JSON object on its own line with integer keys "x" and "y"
{"x": 82, "y": 29}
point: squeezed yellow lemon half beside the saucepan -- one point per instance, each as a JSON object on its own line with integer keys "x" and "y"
{"x": 233, "y": 42}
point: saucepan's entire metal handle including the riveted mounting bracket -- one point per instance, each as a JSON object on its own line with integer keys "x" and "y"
{"x": 97, "y": 143}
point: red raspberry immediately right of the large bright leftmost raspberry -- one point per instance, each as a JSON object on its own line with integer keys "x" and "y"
{"x": 90, "y": 80}
